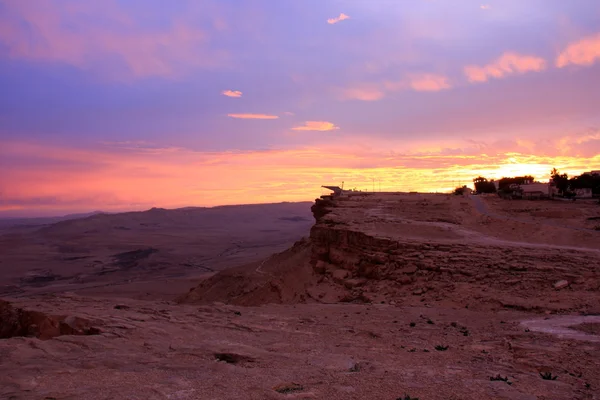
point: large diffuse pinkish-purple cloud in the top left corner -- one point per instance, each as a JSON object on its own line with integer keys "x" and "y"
{"x": 47, "y": 34}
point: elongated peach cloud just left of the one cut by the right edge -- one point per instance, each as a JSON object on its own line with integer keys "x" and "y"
{"x": 508, "y": 64}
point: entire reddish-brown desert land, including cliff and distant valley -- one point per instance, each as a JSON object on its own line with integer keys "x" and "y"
{"x": 381, "y": 296}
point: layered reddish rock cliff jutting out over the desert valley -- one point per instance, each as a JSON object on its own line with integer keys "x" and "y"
{"x": 413, "y": 249}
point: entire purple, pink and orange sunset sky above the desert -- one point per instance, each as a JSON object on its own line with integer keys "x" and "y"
{"x": 121, "y": 105}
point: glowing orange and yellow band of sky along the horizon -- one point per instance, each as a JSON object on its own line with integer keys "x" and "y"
{"x": 134, "y": 178}
